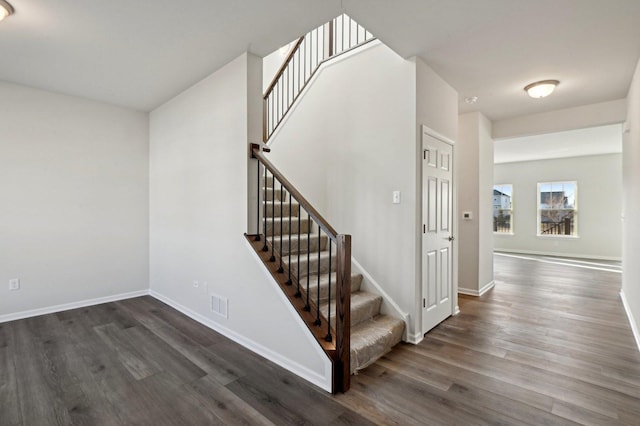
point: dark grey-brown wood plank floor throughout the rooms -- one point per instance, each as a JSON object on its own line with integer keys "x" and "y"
{"x": 550, "y": 344}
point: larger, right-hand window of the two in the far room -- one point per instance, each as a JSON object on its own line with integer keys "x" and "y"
{"x": 557, "y": 208}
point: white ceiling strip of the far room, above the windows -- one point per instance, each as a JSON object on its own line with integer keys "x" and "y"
{"x": 574, "y": 143}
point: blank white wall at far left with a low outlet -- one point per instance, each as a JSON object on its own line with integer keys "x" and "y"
{"x": 74, "y": 201}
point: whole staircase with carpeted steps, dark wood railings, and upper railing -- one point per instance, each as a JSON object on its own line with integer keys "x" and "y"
{"x": 309, "y": 260}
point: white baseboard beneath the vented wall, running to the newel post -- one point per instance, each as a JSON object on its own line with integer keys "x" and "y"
{"x": 253, "y": 346}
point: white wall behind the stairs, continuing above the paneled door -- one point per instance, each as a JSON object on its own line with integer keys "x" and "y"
{"x": 352, "y": 141}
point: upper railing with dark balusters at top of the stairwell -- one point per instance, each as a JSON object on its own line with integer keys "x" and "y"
{"x": 319, "y": 45}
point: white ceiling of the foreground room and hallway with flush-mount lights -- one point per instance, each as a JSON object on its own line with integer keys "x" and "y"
{"x": 140, "y": 53}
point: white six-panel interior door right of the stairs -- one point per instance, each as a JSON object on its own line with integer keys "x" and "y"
{"x": 437, "y": 232}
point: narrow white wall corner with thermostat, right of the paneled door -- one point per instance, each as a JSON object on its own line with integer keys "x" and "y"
{"x": 475, "y": 181}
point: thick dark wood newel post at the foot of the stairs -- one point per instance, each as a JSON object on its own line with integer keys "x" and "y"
{"x": 342, "y": 366}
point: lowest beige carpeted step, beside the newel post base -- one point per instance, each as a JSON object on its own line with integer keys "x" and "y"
{"x": 372, "y": 339}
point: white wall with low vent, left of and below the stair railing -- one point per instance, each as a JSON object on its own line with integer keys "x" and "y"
{"x": 198, "y": 214}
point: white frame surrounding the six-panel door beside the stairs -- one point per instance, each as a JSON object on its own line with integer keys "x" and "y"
{"x": 454, "y": 225}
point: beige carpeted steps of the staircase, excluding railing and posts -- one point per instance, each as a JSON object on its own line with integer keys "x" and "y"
{"x": 372, "y": 333}
